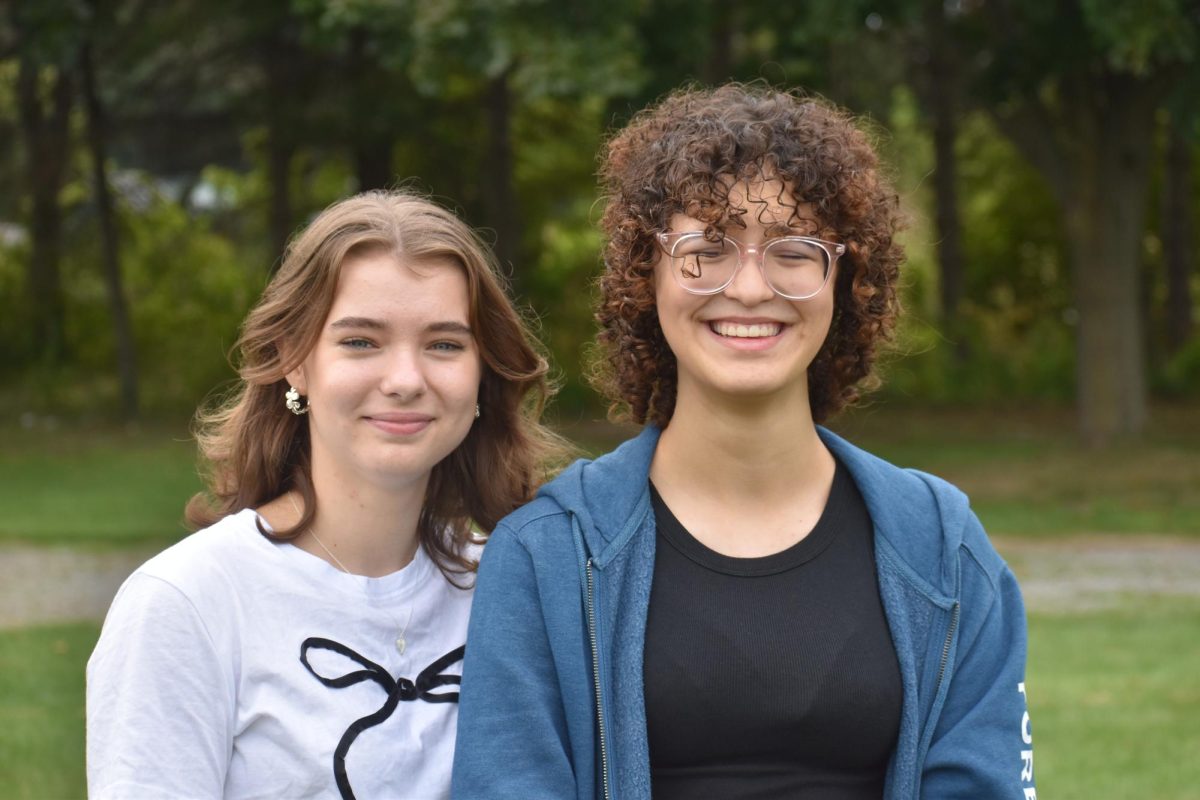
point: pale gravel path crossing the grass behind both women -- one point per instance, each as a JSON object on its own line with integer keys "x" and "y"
{"x": 50, "y": 585}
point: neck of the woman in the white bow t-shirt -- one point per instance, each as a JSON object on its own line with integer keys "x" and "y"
{"x": 368, "y": 530}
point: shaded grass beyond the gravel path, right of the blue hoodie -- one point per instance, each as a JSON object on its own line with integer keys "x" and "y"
{"x": 1028, "y": 476}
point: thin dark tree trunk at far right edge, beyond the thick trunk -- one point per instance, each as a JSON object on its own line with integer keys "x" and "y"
{"x": 1178, "y": 238}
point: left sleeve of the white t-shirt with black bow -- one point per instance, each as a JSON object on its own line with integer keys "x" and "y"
{"x": 161, "y": 699}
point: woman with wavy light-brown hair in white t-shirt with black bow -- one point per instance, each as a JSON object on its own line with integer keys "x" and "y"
{"x": 308, "y": 642}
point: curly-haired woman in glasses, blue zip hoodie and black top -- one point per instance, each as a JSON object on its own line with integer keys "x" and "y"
{"x": 737, "y": 603}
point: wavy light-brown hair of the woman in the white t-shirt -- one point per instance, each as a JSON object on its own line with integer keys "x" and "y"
{"x": 255, "y": 449}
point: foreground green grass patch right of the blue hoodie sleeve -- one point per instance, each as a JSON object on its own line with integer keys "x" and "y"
{"x": 1114, "y": 700}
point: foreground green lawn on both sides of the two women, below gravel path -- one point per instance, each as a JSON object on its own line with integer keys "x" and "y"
{"x": 1114, "y": 697}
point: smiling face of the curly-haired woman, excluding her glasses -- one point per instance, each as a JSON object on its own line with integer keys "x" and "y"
{"x": 746, "y": 341}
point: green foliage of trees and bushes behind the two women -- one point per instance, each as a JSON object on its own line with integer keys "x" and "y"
{"x": 410, "y": 80}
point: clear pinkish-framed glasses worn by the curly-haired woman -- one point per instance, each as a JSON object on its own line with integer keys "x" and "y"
{"x": 796, "y": 268}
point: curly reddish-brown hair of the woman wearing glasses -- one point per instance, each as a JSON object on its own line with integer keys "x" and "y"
{"x": 683, "y": 157}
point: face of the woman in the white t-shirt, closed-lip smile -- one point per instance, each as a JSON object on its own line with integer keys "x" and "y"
{"x": 394, "y": 377}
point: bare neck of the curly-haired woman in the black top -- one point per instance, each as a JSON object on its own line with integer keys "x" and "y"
{"x": 736, "y": 449}
